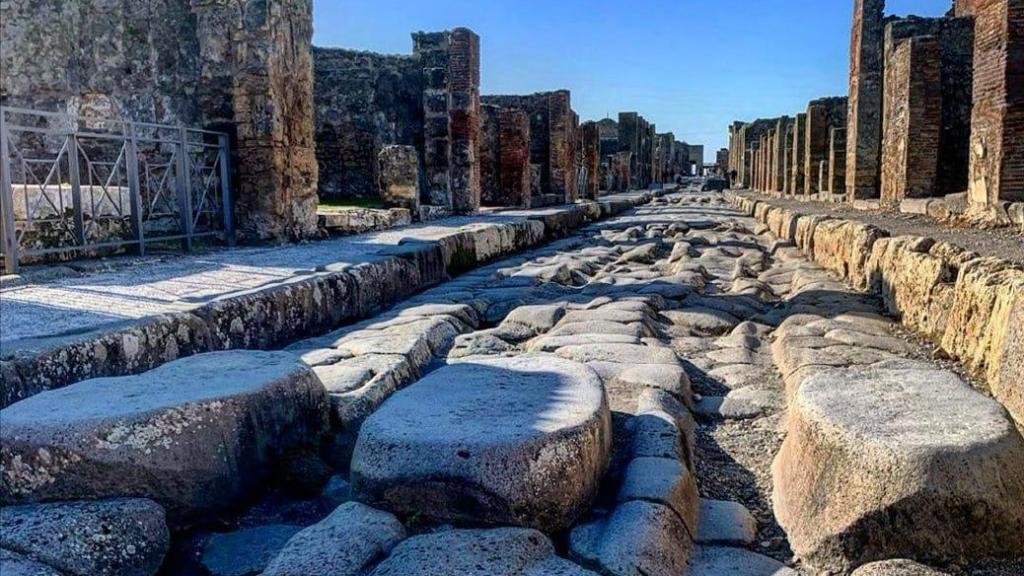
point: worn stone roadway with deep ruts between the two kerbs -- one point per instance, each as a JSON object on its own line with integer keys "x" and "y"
{"x": 671, "y": 354}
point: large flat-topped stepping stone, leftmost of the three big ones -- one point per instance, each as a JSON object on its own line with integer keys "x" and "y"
{"x": 194, "y": 435}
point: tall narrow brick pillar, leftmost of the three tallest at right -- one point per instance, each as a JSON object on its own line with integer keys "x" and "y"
{"x": 865, "y": 118}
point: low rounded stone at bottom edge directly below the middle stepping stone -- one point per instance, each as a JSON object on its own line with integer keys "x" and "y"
{"x": 505, "y": 552}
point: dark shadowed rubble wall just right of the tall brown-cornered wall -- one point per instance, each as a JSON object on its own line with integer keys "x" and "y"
{"x": 364, "y": 102}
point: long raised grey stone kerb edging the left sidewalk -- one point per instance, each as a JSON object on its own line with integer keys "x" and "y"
{"x": 297, "y": 307}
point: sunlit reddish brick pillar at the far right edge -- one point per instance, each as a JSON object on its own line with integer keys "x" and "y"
{"x": 998, "y": 118}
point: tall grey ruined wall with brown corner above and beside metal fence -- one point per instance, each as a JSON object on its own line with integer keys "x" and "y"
{"x": 241, "y": 69}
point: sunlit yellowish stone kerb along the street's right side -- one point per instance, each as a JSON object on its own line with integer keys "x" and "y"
{"x": 971, "y": 308}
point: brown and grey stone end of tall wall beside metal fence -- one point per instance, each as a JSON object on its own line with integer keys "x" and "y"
{"x": 261, "y": 56}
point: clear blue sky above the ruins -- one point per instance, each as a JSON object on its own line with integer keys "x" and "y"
{"x": 690, "y": 66}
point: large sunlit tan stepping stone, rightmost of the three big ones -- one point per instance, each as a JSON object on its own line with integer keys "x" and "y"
{"x": 882, "y": 464}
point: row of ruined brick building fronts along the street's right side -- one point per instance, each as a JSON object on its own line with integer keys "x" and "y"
{"x": 935, "y": 110}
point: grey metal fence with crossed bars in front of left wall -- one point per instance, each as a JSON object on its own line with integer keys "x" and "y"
{"x": 73, "y": 186}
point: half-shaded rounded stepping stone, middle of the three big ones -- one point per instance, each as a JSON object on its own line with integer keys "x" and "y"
{"x": 520, "y": 441}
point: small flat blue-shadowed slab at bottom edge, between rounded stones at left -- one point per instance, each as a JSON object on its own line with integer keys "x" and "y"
{"x": 246, "y": 552}
